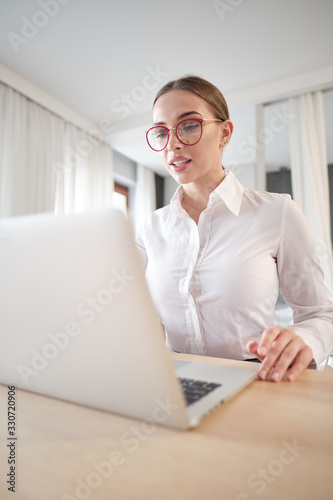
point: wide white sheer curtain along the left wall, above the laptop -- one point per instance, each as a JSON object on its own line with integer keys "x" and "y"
{"x": 48, "y": 164}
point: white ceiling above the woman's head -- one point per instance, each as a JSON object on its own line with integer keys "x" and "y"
{"x": 106, "y": 59}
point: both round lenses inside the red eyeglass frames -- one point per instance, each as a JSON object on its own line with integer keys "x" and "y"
{"x": 188, "y": 132}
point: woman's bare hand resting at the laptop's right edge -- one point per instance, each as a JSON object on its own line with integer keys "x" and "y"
{"x": 282, "y": 352}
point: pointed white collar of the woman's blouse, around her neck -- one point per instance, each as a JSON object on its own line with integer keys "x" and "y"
{"x": 230, "y": 191}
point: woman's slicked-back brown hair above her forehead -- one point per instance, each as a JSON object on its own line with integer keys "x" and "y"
{"x": 202, "y": 88}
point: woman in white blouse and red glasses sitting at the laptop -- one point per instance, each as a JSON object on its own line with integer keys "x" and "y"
{"x": 217, "y": 255}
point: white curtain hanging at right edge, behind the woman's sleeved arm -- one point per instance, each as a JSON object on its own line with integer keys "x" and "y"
{"x": 310, "y": 173}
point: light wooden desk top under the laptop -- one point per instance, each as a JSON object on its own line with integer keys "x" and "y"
{"x": 271, "y": 441}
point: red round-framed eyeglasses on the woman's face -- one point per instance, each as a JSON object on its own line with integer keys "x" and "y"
{"x": 188, "y": 132}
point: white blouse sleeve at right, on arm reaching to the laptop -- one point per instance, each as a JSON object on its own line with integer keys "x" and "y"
{"x": 302, "y": 283}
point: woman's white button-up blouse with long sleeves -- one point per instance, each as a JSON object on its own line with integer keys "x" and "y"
{"x": 215, "y": 284}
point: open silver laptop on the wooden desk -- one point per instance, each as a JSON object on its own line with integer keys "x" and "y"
{"x": 78, "y": 323}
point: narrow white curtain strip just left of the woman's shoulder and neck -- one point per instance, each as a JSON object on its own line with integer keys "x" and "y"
{"x": 145, "y": 195}
